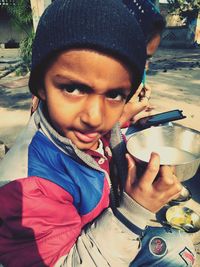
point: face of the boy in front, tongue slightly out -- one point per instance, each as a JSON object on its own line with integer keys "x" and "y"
{"x": 85, "y": 92}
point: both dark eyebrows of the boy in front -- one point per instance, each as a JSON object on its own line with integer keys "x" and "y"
{"x": 64, "y": 79}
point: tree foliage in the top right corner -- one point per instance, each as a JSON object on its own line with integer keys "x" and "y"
{"x": 186, "y": 9}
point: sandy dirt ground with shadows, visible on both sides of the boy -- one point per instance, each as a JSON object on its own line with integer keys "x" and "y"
{"x": 174, "y": 78}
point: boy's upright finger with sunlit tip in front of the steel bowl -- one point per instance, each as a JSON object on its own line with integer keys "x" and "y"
{"x": 152, "y": 169}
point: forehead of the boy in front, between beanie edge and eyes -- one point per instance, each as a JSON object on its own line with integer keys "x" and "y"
{"x": 90, "y": 67}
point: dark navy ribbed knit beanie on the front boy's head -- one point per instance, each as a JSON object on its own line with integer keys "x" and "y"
{"x": 103, "y": 25}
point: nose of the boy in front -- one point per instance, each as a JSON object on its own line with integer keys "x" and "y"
{"x": 93, "y": 111}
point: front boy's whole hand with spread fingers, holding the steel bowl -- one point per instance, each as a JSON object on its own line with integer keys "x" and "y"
{"x": 156, "y": 187}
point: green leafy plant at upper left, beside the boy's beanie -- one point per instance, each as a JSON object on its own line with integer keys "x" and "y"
{"x": 21, "y": 15}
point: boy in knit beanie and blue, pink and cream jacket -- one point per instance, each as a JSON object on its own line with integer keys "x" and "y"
{"x": 88, "y": 58}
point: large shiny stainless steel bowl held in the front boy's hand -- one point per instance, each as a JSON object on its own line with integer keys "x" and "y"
{"x": 177, "y": 145}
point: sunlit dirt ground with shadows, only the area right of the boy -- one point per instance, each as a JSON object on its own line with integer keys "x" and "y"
{"x": 175, "y": 79}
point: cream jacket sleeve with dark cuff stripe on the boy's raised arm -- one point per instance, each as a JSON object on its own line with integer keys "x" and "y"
{"x": 108, "y": 241}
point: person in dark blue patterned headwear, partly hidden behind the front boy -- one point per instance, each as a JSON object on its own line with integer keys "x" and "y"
{"x": 152, "y": 24}
